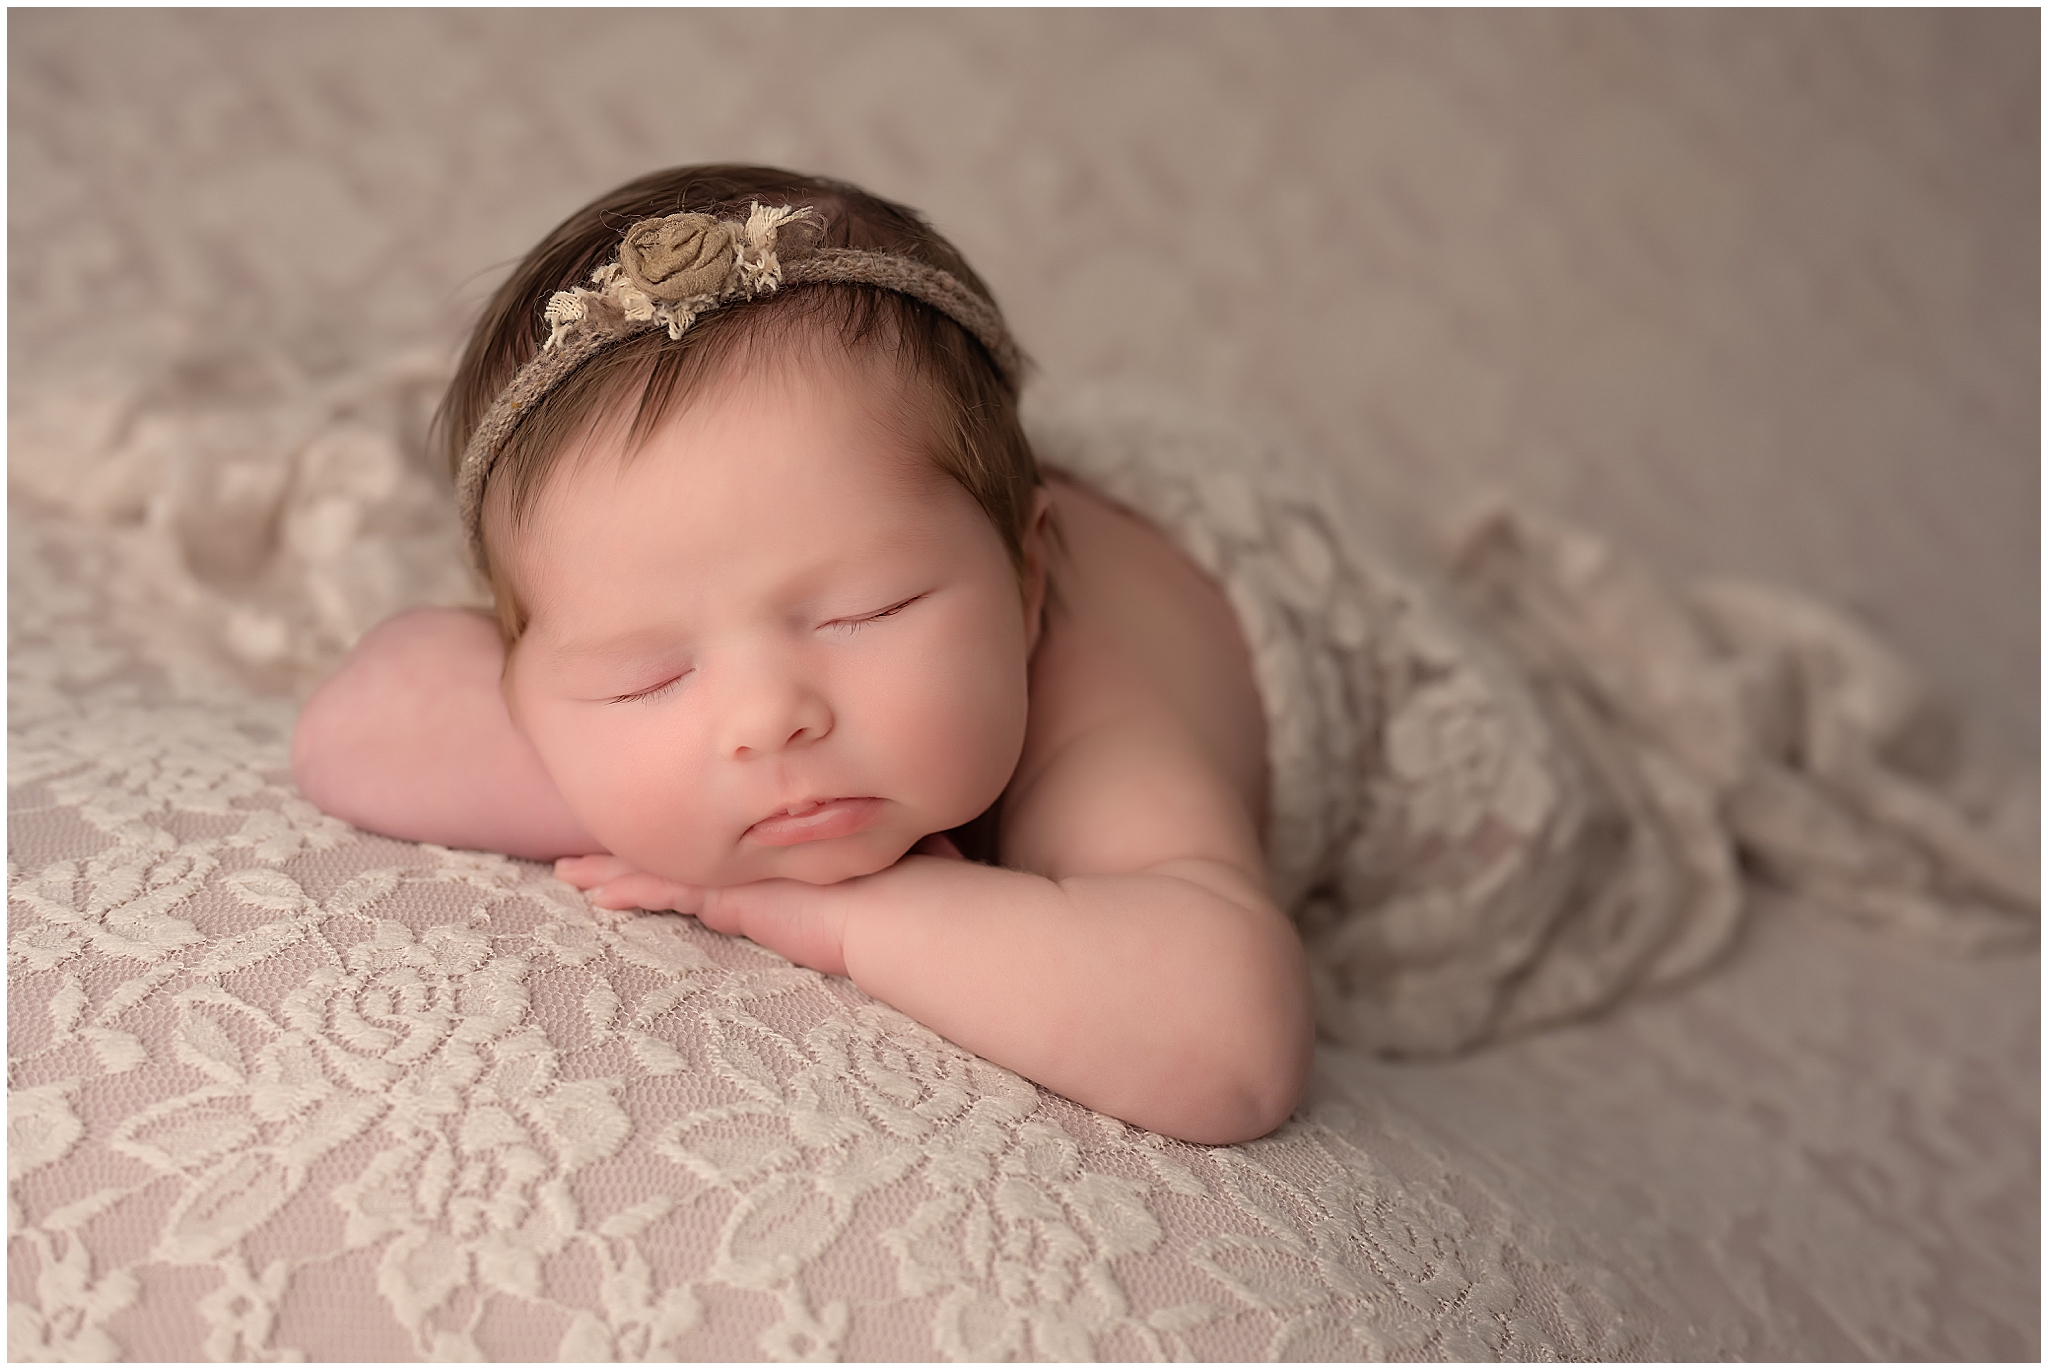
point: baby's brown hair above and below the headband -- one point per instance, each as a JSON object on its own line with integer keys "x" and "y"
{"x": 970, "y": 406}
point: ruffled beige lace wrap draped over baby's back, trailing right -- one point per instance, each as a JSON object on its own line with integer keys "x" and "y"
{"x": 1519, "y": 796}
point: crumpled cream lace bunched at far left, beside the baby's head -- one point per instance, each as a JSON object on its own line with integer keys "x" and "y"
{"x": 265, "y": 523}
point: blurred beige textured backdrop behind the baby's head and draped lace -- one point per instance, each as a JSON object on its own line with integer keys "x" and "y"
{"x": 1750, "y": 292}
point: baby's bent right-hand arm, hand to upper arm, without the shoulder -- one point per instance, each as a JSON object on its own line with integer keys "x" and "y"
{"x": 1134, "y": 964}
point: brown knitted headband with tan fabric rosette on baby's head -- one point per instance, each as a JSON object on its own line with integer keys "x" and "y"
{"x": 673, "y": 271}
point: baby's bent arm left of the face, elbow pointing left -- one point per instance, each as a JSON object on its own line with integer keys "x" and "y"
{"x": 413, "y": 738}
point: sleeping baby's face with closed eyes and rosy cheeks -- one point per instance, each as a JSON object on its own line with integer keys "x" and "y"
{"x": 775, "y": 642}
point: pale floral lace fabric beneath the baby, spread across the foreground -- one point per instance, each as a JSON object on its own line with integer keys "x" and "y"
{"x": 282, "y": 1088}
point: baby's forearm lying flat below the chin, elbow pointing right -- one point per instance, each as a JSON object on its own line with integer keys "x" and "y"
{"x": 1172, "y": 998}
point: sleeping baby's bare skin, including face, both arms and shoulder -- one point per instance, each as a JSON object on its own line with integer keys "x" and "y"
{"x": 1125, "y": 953}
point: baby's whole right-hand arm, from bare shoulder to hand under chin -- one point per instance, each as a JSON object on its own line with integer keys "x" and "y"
{"x": 1127, "y": 955}
